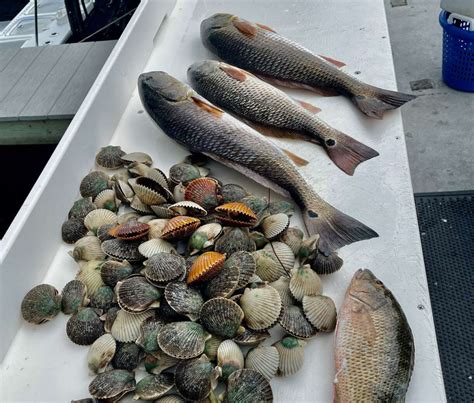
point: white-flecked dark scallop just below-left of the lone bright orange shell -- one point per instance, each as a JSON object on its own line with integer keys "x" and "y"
{"x": 184, "y": 299}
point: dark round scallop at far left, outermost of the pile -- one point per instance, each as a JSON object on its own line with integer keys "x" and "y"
{"x": 41, "y": 304}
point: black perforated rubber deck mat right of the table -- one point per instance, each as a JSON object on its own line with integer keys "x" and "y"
{"x": 446, "y": 222}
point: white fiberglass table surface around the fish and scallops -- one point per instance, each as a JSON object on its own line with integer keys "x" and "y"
{"x": 41, "y": 364}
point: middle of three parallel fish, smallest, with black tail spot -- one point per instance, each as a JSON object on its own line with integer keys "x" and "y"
{"x": 274, "y": 113}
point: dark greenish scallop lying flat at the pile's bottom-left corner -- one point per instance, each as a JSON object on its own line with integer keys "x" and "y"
{"x": 112, "y": 384}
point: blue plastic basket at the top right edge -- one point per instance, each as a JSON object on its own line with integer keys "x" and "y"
{"x": 458, "y": 55}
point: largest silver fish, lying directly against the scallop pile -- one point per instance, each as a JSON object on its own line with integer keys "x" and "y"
{"x": 203, "y": 128}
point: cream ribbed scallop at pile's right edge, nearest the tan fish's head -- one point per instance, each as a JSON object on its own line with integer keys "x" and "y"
{"x": 321, "y": 312}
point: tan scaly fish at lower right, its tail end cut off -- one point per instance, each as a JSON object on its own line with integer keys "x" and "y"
{"x": 375, "y": 350}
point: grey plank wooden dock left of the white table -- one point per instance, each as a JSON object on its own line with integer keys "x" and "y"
{"x": 42, "y": 88}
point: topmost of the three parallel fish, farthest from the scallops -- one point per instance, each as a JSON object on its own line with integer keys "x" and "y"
{"x": 260, "y": 50}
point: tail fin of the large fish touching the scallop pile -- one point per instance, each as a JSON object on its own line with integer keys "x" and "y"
{"x": 335, "y": 228}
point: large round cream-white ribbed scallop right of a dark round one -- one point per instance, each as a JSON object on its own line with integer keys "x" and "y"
{"x": 262, "y": 306}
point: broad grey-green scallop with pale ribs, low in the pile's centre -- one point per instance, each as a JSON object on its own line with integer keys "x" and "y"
{"x": 183, "y": 340}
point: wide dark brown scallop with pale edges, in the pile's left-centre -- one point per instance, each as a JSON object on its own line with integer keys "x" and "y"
{"x": 135, "y": 294}
